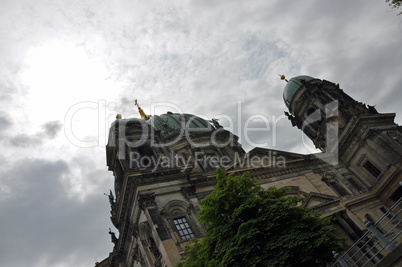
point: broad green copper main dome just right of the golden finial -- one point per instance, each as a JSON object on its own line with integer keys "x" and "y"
{"x": 176, "y": 121}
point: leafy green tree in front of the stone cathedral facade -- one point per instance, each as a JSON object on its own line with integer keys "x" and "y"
{"x": 251, "y": 226}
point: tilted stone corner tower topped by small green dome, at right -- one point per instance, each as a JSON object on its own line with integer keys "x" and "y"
{"x": 367, "y": 142}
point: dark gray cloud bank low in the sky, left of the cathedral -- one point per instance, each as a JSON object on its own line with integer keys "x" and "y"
{"x": 44, "y": 226}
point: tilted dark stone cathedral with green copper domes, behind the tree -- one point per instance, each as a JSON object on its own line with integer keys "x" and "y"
{"x": 164, "y": 165}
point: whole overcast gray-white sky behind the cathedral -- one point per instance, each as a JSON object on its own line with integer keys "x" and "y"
{"x": 68, "y": 66}
